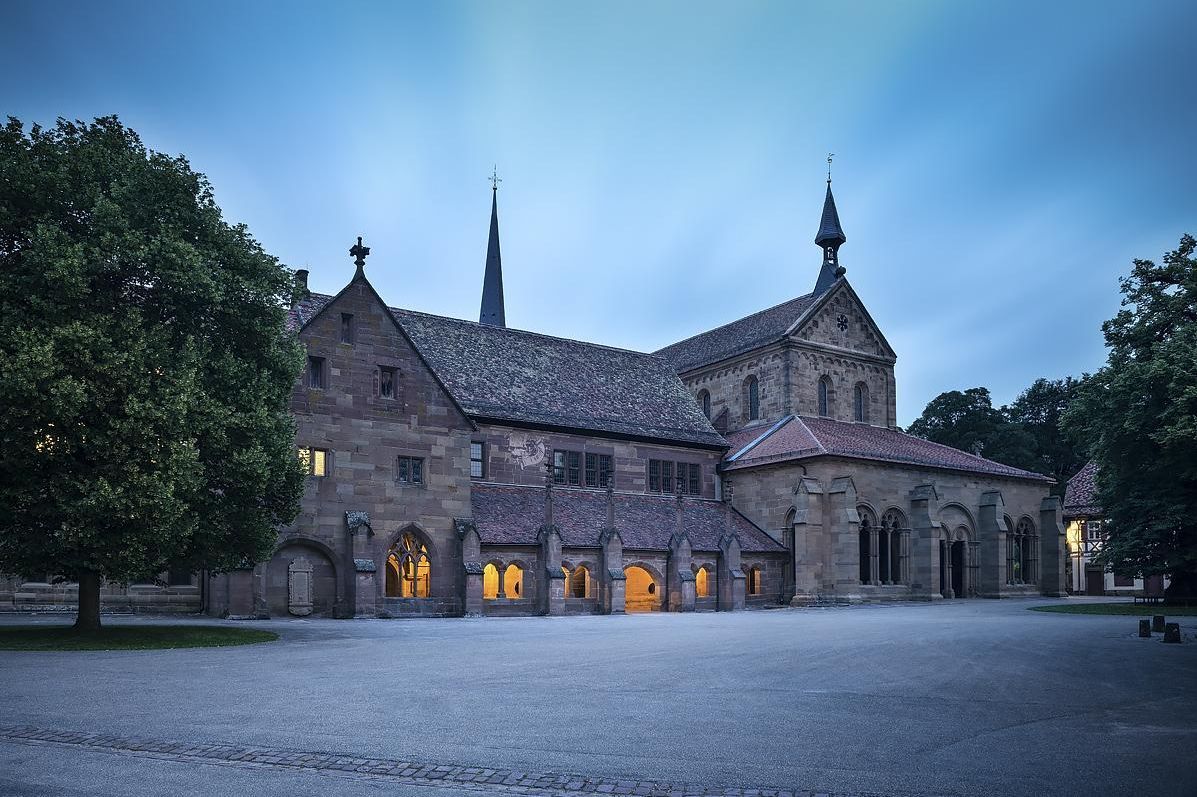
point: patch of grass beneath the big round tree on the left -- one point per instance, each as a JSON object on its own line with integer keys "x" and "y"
{"x": 129, "y": 637}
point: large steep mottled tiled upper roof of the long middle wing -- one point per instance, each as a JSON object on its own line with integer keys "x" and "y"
{"x": 509, "y": 375}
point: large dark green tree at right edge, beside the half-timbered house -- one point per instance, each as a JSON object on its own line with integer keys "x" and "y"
{"x": 1139, "y": 416}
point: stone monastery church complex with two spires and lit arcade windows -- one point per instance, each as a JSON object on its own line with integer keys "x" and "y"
{"x": 473, "y": 469}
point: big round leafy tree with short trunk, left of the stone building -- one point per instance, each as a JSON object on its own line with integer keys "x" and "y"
{"x": 147, "y": 372}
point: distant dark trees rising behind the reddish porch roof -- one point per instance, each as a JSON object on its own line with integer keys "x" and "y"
{"x": 968, "y": 421}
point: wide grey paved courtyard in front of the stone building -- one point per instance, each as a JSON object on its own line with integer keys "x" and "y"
{"x": 961, "y": 698}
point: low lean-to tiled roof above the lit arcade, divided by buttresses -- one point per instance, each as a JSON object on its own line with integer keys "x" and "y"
{"x": 513, "y": 515}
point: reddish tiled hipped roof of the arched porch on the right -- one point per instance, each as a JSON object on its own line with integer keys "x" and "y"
{"x": 803, "y": 437}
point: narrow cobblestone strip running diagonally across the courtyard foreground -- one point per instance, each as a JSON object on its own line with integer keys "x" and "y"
{"x": 507, "y": 782}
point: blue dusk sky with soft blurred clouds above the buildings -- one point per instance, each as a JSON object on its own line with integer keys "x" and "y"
{"x": 998, "y": 166}
